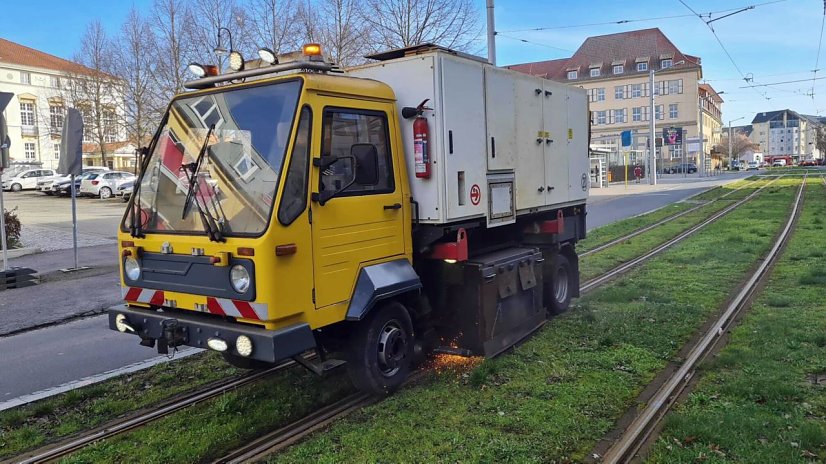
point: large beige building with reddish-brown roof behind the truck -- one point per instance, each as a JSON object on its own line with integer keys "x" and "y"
{"x": 616, "y": 69}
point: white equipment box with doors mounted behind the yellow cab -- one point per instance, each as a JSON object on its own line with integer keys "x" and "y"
{"x": 501, "y": 142}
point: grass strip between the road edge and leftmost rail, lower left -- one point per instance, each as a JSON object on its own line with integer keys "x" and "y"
{"x": 45, "y": 421}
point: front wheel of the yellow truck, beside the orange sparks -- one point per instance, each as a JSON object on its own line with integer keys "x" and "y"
{"x": 380, "y": 349}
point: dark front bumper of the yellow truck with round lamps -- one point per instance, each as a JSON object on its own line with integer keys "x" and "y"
{"x": 195, "y": 329}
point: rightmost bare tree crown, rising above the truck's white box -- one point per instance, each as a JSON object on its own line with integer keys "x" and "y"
{"x": 402, "y": 23}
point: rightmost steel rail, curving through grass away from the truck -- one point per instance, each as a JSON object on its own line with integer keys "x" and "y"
{"x": 640, "y": 429}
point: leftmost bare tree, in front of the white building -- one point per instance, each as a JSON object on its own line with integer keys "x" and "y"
{"x": 97, "y": 93}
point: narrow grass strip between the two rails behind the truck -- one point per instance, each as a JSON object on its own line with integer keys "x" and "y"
{"x": 598, "y": 263}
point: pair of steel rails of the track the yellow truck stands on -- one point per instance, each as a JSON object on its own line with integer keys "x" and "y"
{"x": 287, "y": 435}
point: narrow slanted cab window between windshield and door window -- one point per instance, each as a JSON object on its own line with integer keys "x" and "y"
{"x": 294, "y": 197}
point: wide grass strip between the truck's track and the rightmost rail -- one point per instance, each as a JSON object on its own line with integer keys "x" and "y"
{"x": 552, "y": 398}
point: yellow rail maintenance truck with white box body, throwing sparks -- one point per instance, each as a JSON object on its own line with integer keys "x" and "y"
{"x": 427, "y": 200}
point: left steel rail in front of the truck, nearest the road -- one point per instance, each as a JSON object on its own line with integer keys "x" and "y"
{"x": 54, "y": 452}
